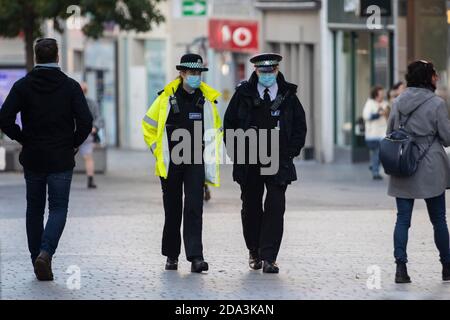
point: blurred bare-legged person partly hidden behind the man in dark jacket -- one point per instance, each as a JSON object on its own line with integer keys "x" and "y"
{"x": 87, "y": 148}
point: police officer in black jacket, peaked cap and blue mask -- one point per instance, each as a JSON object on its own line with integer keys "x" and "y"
{"x": 267, "y": 101}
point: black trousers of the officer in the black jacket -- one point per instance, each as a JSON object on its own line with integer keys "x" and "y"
{"x": 263, "y": 225}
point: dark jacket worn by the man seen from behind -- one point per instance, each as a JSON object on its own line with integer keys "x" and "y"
{"x": 55, "y": 119}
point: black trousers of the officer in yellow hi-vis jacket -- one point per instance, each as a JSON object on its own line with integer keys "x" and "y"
{"x": 192, "y": 178}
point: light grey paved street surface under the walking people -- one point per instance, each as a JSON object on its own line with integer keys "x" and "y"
{"x": 338, "y": 224}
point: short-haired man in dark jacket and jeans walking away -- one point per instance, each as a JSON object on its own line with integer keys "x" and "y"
{"x": 55, "y": 122}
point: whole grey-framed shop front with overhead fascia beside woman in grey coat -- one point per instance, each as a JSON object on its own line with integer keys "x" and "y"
{"x": 362, "y": 58}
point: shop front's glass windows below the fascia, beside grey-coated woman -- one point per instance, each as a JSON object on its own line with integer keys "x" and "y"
{"x": 361, "y": 60}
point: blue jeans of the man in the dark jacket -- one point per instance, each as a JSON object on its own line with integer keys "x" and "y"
{"x": 40, "y": 239}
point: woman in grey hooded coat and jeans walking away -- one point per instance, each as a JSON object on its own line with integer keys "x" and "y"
{"x": 424, "y": 116}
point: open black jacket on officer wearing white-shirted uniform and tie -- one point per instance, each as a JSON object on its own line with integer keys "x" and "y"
{"x": 242, "y": 109}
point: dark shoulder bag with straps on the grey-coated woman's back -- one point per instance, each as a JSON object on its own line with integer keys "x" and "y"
{"x": 399, "y": 151}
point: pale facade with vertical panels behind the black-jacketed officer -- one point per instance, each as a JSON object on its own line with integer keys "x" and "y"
{"x": 292, "y": 28}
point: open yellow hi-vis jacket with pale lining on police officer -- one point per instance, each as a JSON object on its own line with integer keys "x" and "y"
{"x": 155, "y": 133}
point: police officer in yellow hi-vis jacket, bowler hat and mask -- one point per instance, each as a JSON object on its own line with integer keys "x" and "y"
{"x": 181, "y": 128}
